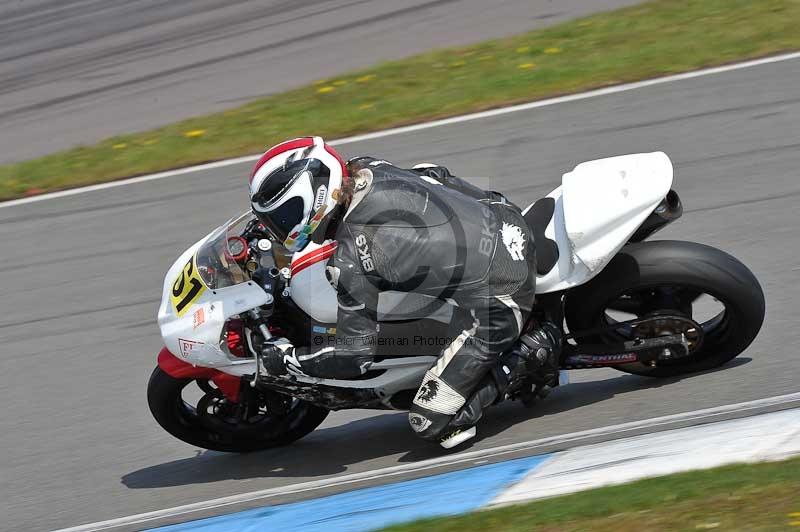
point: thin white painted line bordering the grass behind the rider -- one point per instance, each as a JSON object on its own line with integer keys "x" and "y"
{"x": 425, "y": 125}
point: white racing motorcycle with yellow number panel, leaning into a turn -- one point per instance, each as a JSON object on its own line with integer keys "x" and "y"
{"x": 652, "y": 308}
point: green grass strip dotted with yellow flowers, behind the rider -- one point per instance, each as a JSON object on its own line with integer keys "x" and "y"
{"x": 651, "y": 39}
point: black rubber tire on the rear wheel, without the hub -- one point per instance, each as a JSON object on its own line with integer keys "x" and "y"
{"x": 698, "y": 268}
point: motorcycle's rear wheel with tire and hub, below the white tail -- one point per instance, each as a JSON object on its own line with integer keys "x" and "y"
{"x": 674, "y": 278}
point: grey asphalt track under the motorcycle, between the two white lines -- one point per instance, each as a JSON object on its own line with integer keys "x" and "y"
{"x": 82, "y": 277}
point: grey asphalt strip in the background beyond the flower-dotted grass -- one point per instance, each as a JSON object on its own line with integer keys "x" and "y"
{"x": 76, "y": 71}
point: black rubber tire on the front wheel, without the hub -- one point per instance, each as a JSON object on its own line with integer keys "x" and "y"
{"x": 164, "y": 396}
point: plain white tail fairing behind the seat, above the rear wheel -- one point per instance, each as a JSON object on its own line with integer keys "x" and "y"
{"x": 598, "y": 207}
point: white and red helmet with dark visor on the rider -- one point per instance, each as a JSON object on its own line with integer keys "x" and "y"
{"x": 293, "y": 189}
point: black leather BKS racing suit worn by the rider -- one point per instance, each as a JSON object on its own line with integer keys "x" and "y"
{"x": 428, "y": 232}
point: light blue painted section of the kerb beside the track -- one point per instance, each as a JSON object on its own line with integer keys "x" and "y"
{"x": 370, "y": 508}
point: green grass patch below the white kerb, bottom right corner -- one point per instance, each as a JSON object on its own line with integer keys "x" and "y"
{"x": 763, "y": 496}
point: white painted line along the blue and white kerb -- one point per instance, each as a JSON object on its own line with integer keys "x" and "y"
{"x": 697, "y": 417}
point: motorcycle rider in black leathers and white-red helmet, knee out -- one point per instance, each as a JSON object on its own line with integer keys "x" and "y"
{"x": 418, "y": 230}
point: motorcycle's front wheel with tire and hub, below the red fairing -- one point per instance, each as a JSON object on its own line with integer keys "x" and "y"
{"x": 203, "y": 417}
